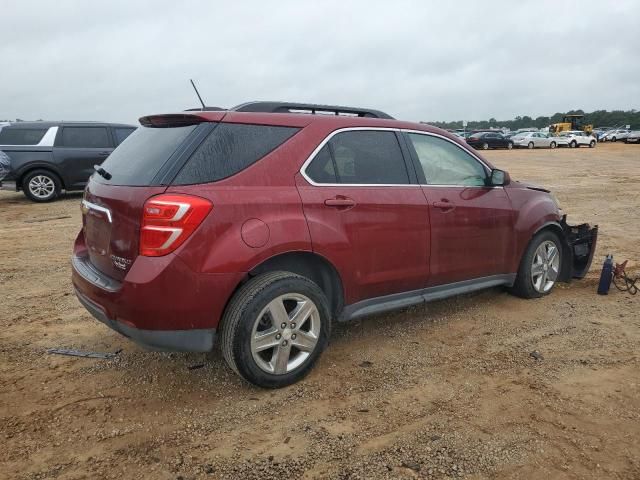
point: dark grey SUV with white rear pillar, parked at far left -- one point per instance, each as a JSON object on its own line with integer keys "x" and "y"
{"x": 48, "y": 157}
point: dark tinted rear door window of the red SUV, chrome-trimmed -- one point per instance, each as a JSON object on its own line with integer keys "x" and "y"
{"x": 368, "y": 157}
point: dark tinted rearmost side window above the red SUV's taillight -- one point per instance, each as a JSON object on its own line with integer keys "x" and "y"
{"x": 230, "y": 148}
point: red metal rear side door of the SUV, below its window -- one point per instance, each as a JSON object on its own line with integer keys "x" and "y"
{"x": 380, "y": 245}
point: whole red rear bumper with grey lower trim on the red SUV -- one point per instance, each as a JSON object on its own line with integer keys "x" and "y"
{"x": 161, "y": 303}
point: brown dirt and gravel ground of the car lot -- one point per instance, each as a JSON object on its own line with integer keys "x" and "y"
{"x": 446, "y": 390}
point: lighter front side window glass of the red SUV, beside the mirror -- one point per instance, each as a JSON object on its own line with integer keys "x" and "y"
{"x": 444, "y": 163}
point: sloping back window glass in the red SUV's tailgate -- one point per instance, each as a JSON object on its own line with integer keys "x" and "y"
{"x": 140, "y": 157}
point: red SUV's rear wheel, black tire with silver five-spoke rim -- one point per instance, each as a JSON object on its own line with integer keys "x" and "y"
{"x": 253, "y": 313}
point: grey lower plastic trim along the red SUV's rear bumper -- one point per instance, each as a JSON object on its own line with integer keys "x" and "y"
{"x": 197, "y": 340}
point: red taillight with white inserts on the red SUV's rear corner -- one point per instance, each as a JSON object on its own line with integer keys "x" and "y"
{"x": 168, "y": 220}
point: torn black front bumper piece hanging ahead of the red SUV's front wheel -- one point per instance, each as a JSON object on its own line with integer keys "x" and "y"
{"x": 579, "y": 247}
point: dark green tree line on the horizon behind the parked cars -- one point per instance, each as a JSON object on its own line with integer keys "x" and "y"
{"x": 599, "y": 118}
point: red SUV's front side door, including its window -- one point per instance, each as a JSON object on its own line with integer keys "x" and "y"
{"x": 471, "y": 224}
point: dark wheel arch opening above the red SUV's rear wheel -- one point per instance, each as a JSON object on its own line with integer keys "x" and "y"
{"x": 310, "y": 265}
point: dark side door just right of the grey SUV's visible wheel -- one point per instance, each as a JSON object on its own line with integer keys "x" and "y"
{"x": 78, "y": 149}
